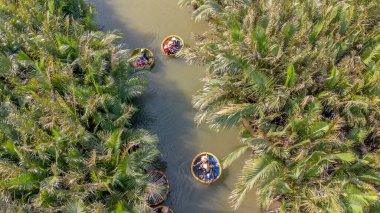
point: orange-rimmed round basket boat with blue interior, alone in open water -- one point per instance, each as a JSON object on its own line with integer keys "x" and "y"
{"x": 200, "y": 173}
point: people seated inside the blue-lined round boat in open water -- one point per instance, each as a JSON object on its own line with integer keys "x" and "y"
{"x": 207, "y": 166}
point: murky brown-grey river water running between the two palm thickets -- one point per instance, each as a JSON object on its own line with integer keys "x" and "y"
{"x": 167, "y": 108}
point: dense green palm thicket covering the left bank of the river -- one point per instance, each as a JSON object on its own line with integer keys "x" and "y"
{"x": 67, "y": 142}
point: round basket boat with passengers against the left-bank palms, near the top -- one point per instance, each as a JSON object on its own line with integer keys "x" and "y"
{"x": 142, "y": 58}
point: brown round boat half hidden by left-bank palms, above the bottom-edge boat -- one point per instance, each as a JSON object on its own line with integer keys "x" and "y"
{"x": 157, "y": 188}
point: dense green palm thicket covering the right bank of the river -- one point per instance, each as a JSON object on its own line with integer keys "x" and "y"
{"x": 302, "y": 78}
